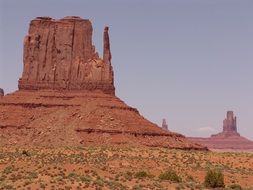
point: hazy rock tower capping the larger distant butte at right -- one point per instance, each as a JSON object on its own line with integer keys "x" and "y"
{"x": 229, "y": 126}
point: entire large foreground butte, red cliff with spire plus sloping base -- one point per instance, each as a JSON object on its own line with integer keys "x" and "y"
{"x": 67, "y": 96}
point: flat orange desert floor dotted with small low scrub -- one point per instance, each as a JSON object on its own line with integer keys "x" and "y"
{"x": 117, "y": 167}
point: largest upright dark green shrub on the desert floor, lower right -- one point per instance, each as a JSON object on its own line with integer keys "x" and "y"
{"x": 214, "y": 178}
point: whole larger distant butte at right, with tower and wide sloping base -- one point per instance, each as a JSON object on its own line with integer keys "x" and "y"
{"x": 228, "y": 139}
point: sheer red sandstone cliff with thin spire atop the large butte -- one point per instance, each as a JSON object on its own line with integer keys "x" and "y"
{"x": 58, "y": 54}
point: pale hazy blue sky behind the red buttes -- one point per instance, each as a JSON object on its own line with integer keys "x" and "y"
{"x": 187, "y": 61}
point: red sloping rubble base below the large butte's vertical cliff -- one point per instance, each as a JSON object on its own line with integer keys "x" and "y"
{"x": 45, "y": 117}
